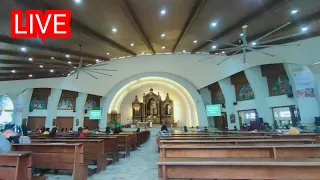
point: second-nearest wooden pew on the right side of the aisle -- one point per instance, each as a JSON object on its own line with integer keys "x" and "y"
{"x": 279, "y": 151}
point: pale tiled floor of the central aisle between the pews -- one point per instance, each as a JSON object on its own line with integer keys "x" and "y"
{"x": 140, "y": 165}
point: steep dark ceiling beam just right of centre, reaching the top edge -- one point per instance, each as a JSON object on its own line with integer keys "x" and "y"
{"x": 192, "y": 16}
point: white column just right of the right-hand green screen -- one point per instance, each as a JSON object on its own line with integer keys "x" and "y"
{"x": 229, "y": 93}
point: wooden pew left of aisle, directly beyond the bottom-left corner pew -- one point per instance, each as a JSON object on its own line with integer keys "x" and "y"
{"x": 57, "y": 156}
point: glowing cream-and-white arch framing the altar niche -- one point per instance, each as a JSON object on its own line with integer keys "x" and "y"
{"x": 196, "y": 108}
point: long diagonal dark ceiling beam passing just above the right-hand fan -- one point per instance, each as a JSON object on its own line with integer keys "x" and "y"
{"x": 246, "y": 20}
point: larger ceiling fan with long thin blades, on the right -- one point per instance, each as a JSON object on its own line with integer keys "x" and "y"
{"x": 254, "y": 45}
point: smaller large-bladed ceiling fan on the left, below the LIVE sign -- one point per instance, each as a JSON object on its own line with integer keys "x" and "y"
{"x": 88, "y": 69}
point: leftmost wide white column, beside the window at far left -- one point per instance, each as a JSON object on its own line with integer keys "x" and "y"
{"x": 21, "y": 106}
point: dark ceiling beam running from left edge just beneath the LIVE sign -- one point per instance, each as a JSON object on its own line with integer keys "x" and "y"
{"x": 25, "y": 42}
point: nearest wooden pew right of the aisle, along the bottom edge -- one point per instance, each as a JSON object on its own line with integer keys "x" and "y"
{"x": 239, "y": 168}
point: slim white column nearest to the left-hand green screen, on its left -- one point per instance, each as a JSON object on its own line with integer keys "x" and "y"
{"x": 79, "y": 115}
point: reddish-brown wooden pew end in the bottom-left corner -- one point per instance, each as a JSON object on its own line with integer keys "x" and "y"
{"x": 16, "y": 165}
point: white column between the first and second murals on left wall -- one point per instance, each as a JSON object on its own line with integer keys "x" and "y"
{"x": 53, "y": 101}
